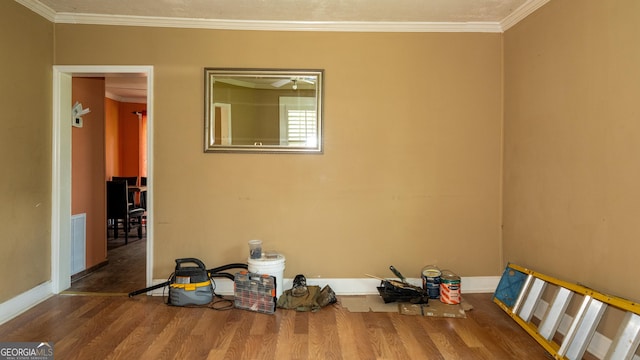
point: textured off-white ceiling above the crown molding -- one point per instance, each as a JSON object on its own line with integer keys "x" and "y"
{"x": 299, "y": 10}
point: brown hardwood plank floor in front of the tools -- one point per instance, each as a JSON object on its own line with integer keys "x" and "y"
{"x": 117, "y": 327}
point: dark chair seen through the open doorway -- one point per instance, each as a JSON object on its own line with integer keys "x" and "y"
{"x": 119, "y": 210}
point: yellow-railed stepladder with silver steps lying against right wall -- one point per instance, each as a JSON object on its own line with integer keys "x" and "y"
{"x": 519, "y": 294}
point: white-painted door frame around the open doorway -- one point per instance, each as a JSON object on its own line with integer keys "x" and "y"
{"x": 61, "y": 167}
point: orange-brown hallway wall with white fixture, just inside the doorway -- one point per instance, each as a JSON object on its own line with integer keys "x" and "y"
{"x": 88, "y": 166}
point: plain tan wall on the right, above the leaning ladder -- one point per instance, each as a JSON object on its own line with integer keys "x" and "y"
{"x": 572, "y": 139}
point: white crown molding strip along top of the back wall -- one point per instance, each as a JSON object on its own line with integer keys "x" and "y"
{"x": 265, "y": 25}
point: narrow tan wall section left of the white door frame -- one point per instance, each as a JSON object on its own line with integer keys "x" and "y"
{"x": 26, "y": 56}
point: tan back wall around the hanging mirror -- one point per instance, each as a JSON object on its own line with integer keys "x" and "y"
{"x": 412, "y": 165}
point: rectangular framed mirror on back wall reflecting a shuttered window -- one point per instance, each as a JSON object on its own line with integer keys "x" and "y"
{"x": 253, "y": 110}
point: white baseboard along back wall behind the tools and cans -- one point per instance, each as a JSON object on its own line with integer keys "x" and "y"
{"x": 358, "y": 286}
